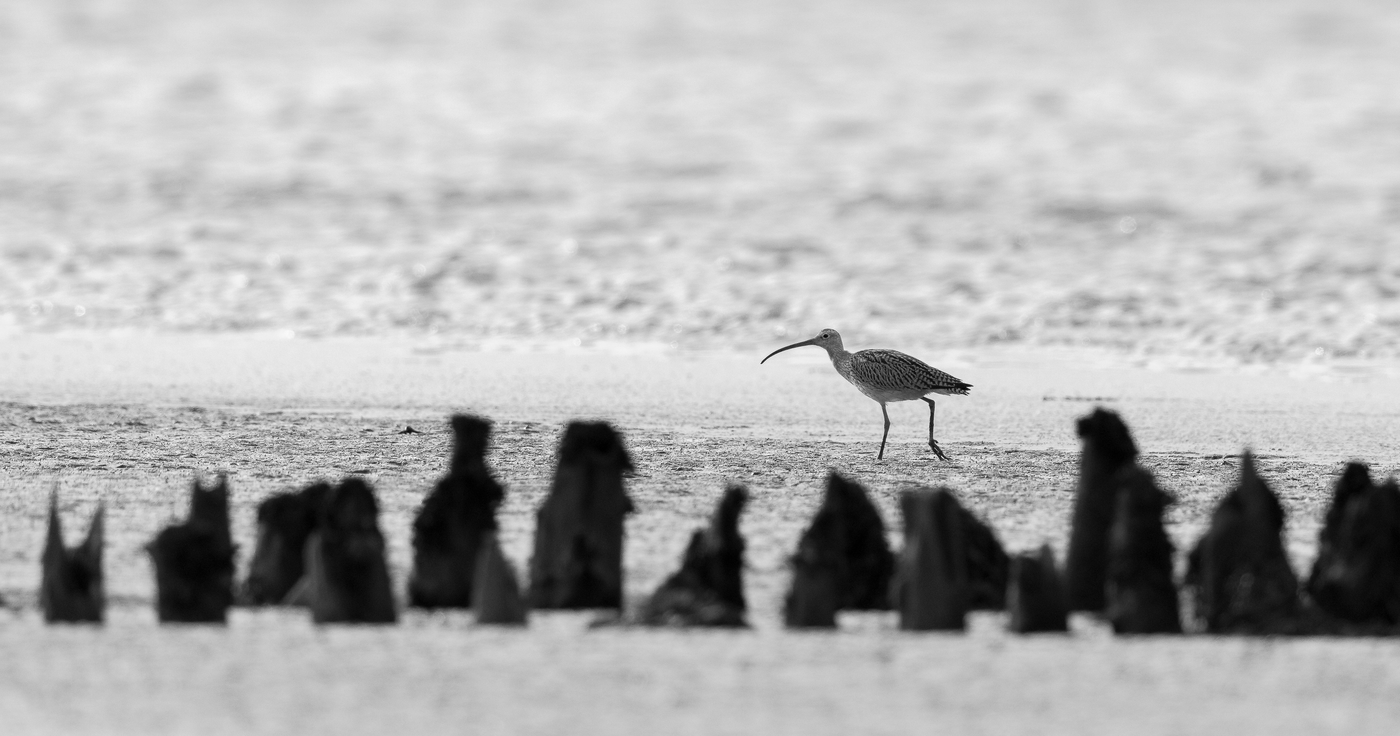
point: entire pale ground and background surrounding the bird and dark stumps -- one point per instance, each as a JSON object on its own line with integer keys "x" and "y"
{"x": 328, "y": 220}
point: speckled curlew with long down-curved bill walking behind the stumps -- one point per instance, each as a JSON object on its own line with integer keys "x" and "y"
{"x": 887, "y": 376}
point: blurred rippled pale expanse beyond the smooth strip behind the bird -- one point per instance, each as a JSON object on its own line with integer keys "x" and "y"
{"x": 1207, "y": 180}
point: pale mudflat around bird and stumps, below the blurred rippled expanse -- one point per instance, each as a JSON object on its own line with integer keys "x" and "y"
{"x": 129, "y": 419}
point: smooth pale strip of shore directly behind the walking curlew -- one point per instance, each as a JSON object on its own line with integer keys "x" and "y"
{"x": 1024, "y": 399}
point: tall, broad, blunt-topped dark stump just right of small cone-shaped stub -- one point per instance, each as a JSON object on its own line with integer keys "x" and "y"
{"x": 579, "y": 534}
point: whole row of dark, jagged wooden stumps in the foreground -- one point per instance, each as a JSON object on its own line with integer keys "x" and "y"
{"x": 321, "y": 548}
